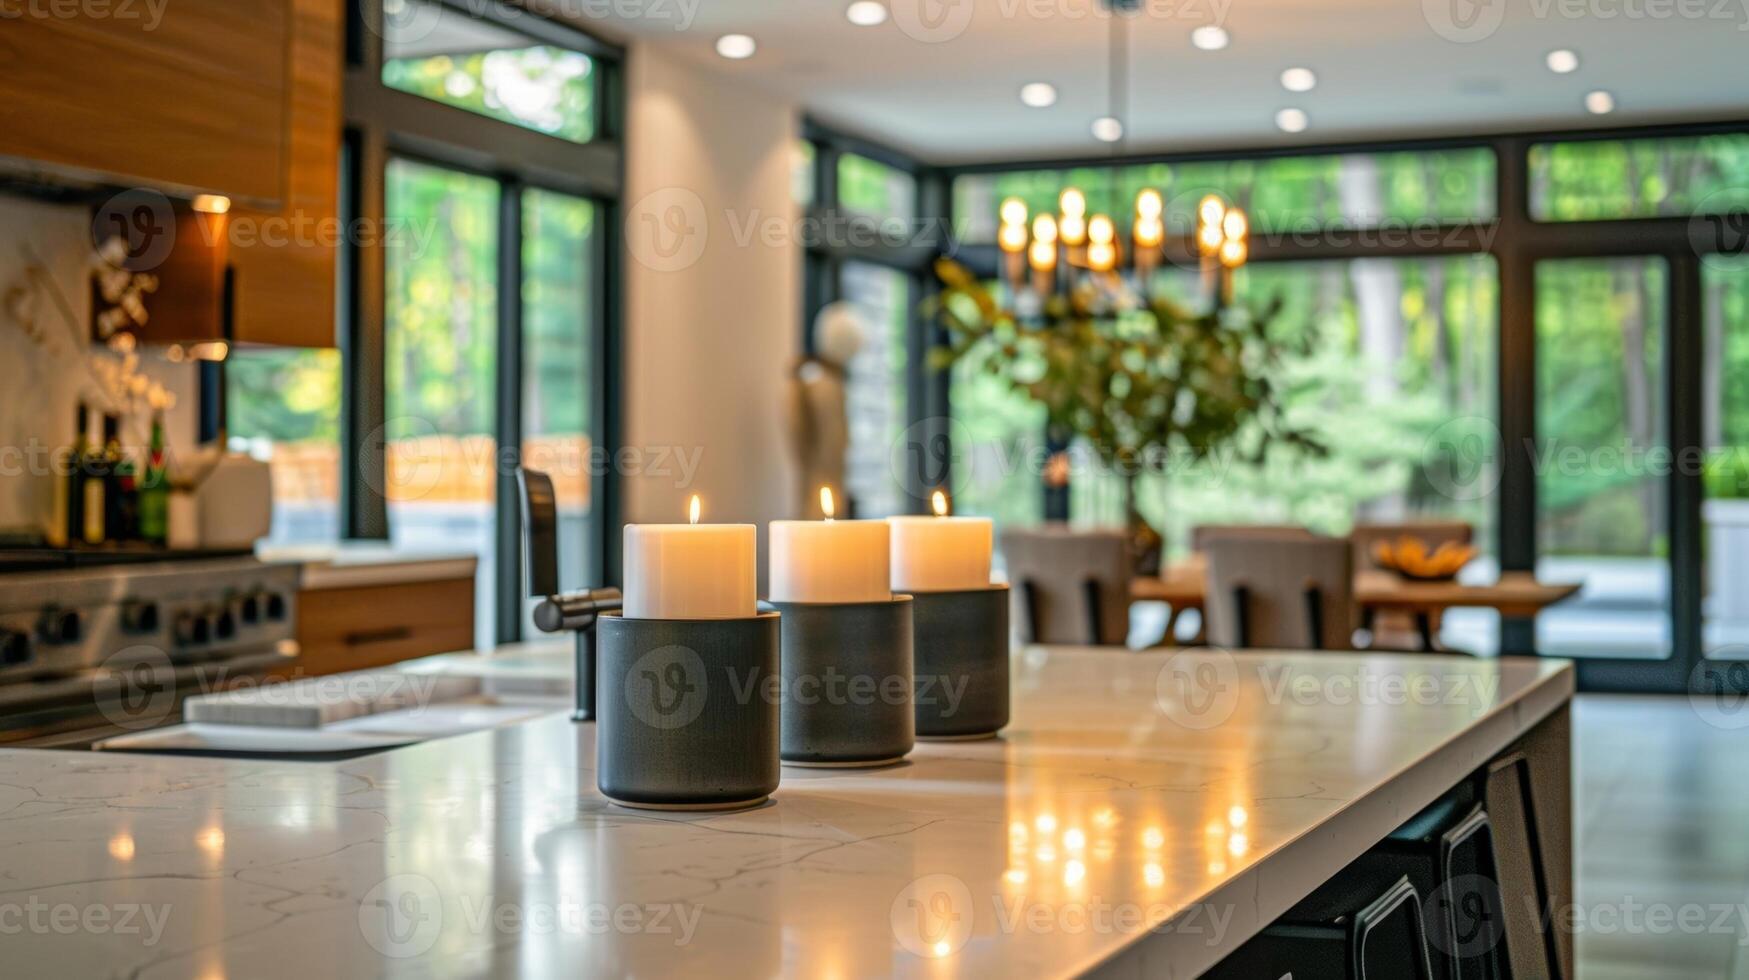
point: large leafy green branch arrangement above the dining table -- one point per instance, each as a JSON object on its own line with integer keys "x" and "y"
{"x": 1141, "y": 381}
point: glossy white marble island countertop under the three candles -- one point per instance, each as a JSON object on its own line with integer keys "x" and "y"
{"x": 1145, "y": 813}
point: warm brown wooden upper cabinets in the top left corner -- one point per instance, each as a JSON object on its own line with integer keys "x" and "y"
{"x": 213, "y": 97}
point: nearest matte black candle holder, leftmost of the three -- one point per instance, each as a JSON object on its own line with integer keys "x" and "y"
{"x": 688, "y": 713}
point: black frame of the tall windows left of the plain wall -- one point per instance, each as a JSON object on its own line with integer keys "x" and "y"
{"x": 384, "y": 123}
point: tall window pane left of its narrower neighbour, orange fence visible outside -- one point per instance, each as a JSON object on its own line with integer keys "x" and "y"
{"x": 442, "y": 363}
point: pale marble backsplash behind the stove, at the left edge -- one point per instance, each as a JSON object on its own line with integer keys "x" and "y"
{"x": 46, "y": 363}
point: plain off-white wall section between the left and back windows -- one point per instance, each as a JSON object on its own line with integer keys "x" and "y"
{"x": 713, "y": 290}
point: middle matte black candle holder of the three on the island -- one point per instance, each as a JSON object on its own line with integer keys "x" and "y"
{"x": 847, "y": 683}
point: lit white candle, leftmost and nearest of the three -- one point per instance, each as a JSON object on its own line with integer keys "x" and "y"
{"x": 692, "y": 571}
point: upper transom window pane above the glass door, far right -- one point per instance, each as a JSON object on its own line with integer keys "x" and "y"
{"x": 1615, "y": 179}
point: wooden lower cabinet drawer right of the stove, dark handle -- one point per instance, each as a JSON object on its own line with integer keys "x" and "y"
{"x": 375, "y": 626}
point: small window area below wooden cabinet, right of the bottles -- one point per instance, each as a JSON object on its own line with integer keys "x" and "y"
{"x": 282, "y": 407}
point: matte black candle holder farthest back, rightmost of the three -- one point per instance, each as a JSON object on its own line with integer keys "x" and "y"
{"x": 961, "y": 662}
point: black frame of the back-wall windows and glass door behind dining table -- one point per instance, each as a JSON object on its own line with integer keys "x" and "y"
{"x": 1517, "y": 244}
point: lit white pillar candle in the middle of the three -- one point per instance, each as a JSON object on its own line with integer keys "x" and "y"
{"x": 830, "y": 561}
